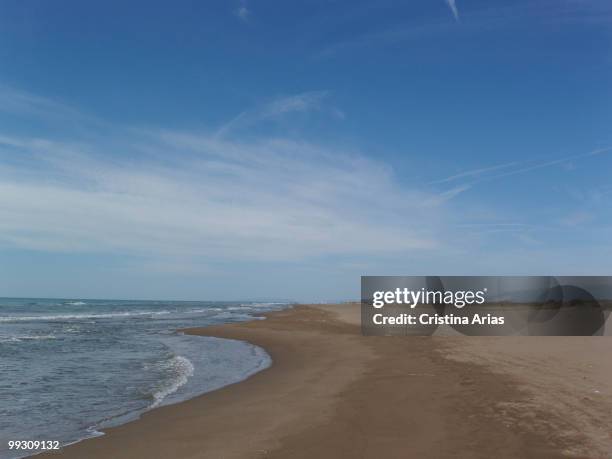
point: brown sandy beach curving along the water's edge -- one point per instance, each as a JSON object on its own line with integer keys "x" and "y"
{"x": 333, "y": 393}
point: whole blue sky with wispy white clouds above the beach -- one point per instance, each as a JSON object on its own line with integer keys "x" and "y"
{"x": 229, "y": 150}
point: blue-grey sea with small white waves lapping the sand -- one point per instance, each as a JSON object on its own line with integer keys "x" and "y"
{"x": 69, "y": 368}
